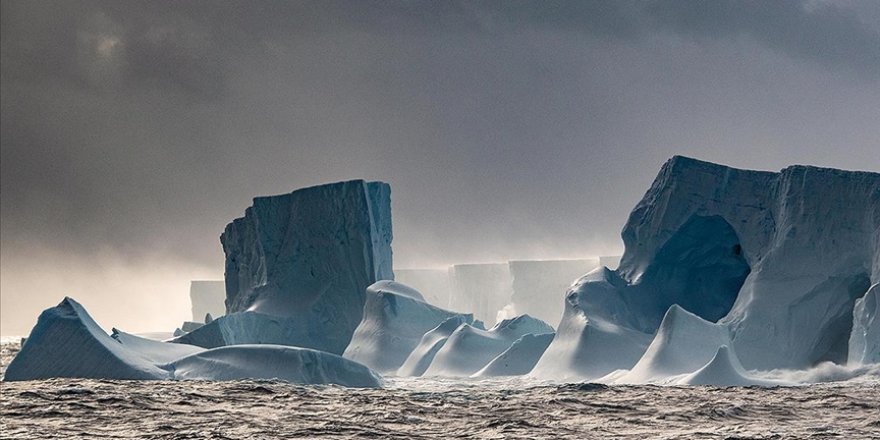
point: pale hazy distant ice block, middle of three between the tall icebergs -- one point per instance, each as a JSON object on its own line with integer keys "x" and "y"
{"x": 482, "y": 289}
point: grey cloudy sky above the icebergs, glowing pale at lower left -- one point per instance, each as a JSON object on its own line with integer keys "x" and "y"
{"x": 131, "y": 133}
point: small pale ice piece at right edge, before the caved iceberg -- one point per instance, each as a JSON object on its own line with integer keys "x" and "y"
{"x": 864, "y": 342}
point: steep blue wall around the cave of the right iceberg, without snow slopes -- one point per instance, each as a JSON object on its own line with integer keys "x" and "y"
{"x": 808, "y": 236}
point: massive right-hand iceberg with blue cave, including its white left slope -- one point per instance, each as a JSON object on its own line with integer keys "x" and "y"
{"x": 776, "y": 258}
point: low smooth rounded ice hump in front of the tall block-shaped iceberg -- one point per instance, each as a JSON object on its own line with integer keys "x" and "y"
{"x": 291, "y": 364}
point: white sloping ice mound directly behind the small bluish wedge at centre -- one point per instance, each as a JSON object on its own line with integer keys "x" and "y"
{"x": 469, "y": 349}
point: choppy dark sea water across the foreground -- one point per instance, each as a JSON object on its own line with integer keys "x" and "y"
{"x": 406, "y": 408}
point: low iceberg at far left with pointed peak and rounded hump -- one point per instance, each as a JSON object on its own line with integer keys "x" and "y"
{"x": 67, "y": 342}
